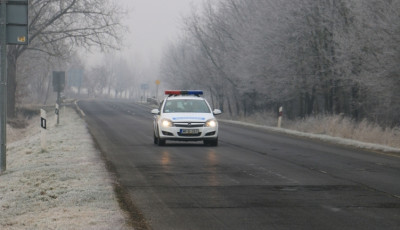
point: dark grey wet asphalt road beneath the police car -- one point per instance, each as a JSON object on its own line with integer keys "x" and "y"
{"x": 254, "y": 179}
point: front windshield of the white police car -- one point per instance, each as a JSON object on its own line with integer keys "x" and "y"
{"x": 186, "y": 106}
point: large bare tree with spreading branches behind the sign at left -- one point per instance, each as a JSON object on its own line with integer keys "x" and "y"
{"x": 59, "y": 25}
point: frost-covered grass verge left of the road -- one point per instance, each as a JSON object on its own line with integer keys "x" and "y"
{"x": 65, "y": 187}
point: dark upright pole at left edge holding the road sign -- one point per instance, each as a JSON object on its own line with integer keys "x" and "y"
{"x": 3, "y": 88}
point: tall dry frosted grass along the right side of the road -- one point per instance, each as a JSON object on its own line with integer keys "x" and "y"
{"x": 334, "y": 126}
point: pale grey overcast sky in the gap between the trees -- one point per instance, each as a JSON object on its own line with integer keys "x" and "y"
{"x": 153, "y": 23}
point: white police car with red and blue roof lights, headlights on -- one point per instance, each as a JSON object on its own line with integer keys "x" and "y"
{"x": 185, "y": 116}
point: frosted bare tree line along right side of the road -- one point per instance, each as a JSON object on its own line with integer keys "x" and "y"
{"x": 314, "y": 57}
